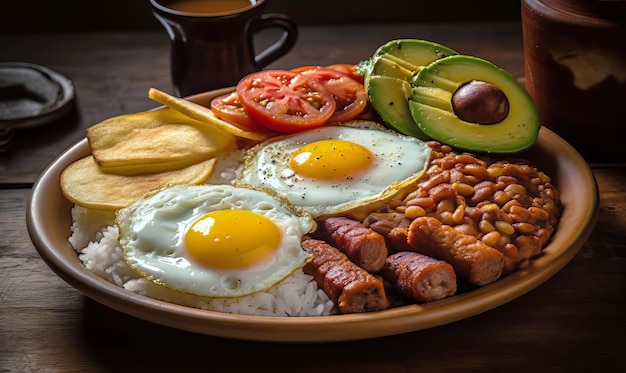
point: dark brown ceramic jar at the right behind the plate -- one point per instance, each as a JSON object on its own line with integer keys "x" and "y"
{"x": 575, "y": 58}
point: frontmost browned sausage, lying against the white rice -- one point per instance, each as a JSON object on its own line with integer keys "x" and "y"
{"x": 350, "y": 287}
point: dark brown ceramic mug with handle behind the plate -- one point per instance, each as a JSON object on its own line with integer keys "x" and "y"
{"x": 214, "y": 48}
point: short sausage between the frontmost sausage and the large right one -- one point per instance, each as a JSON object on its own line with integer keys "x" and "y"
{"x": 420, "y": 277}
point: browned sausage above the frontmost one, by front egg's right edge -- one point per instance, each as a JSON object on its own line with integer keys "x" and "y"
{"x": 361, "y": 245}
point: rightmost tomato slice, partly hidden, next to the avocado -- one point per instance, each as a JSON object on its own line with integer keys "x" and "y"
{"x": 349, "y": 94}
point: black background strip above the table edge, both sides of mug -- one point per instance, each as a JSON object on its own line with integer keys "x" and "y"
{"x": 116, "y": 15}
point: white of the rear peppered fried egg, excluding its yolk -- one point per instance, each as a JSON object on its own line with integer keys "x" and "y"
{"x": 399, "y": 161}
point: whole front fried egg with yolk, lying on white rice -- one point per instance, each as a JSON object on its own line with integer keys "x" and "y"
{"x": 212, "y": 240}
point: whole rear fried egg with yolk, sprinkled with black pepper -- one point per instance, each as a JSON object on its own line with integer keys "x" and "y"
{"x": 335, "y": 169}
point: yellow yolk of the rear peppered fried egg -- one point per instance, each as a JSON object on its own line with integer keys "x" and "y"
{"x": 330, "y": 159}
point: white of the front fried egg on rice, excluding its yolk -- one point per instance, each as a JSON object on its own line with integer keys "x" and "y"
{"x": 152, "y": 231}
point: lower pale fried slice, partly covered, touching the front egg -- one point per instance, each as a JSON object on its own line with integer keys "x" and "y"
{"x": 84, "y": 183}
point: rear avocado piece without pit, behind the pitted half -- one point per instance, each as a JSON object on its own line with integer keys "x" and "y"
{"x": 388, "y": 77}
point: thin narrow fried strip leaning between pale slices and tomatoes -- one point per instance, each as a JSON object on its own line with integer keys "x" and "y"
{"x": 205, "y": 115}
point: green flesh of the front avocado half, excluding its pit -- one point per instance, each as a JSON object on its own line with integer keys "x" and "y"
{"x": 430, "y": 105}
